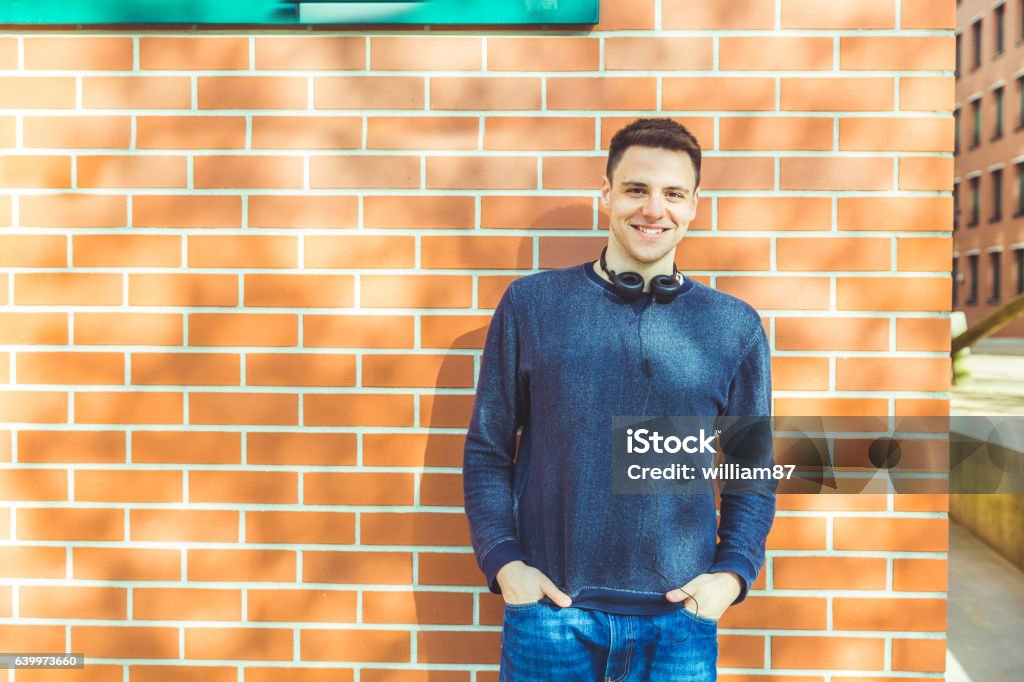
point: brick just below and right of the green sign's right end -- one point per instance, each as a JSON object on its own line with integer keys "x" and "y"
{"x": 651, "y": 54}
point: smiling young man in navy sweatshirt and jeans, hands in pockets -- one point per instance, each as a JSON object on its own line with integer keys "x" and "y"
{"x": 603, "y": 587}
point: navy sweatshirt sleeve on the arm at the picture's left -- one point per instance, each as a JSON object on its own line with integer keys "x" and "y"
{"x": 491, "y": 446}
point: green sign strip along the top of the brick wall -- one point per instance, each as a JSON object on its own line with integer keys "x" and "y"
{"x": 306, "y": 12}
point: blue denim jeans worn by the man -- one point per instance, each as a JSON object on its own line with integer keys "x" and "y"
{"x": 542, "y": 643}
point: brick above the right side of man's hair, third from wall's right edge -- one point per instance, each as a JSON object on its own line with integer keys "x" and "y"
{"x": 713, "y": 95}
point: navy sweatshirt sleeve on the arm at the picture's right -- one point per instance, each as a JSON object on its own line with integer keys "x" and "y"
{"x": 748, "y": 511}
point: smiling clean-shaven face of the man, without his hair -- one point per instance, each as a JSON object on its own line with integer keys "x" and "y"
{"x": 652, "y": 200}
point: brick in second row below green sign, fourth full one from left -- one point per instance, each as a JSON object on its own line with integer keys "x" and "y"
{"x": 456, "y": 94}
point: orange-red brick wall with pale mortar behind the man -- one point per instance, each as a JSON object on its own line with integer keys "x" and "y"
{"x": 247, "y": 277}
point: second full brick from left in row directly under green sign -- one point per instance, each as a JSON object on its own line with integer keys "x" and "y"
{"x": 194, "y": 54}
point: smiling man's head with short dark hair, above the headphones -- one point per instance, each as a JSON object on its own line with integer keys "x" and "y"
{"x": 651, "y": 191}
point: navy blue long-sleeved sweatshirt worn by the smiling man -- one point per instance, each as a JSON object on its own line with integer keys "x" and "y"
{"x": 565, "y": 354}
